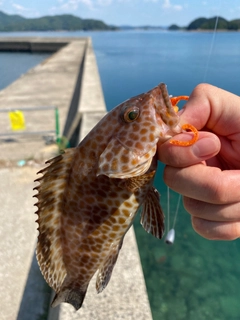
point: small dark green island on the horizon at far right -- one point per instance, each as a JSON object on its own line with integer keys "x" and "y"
{"x": 209, "y": 24}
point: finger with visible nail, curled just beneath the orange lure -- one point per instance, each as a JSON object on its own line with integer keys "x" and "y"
{"x": 206, "y": 147}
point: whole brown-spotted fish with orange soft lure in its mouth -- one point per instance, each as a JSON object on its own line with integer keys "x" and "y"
{"x": 89, "y": 195}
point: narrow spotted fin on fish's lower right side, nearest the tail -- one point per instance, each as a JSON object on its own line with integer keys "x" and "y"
{"x": 105, "y": 270}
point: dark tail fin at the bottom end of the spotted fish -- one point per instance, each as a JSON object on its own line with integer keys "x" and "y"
{"x": 74, "y": 296}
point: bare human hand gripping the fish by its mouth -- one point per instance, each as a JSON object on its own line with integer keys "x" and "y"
{"x": 207, "y": 173}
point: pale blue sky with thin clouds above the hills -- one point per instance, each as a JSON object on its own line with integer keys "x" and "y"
{"x": 127, "y": 12}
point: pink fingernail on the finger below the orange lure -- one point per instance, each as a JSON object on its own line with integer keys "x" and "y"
{"x": 205, "y": 147}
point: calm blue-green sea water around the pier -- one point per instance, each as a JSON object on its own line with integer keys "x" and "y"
{"x": 194, "y": 279}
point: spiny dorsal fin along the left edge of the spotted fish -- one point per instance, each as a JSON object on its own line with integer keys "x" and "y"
{"x": 50, "y": 201}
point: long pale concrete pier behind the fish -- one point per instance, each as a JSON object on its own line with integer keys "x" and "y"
{"x": 68, "y": 80}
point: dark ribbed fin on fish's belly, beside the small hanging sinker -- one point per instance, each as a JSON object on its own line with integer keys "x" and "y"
{"x": 152, "y": 217}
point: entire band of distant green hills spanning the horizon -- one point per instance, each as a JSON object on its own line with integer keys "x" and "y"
{"x": 68, "y": 22}
